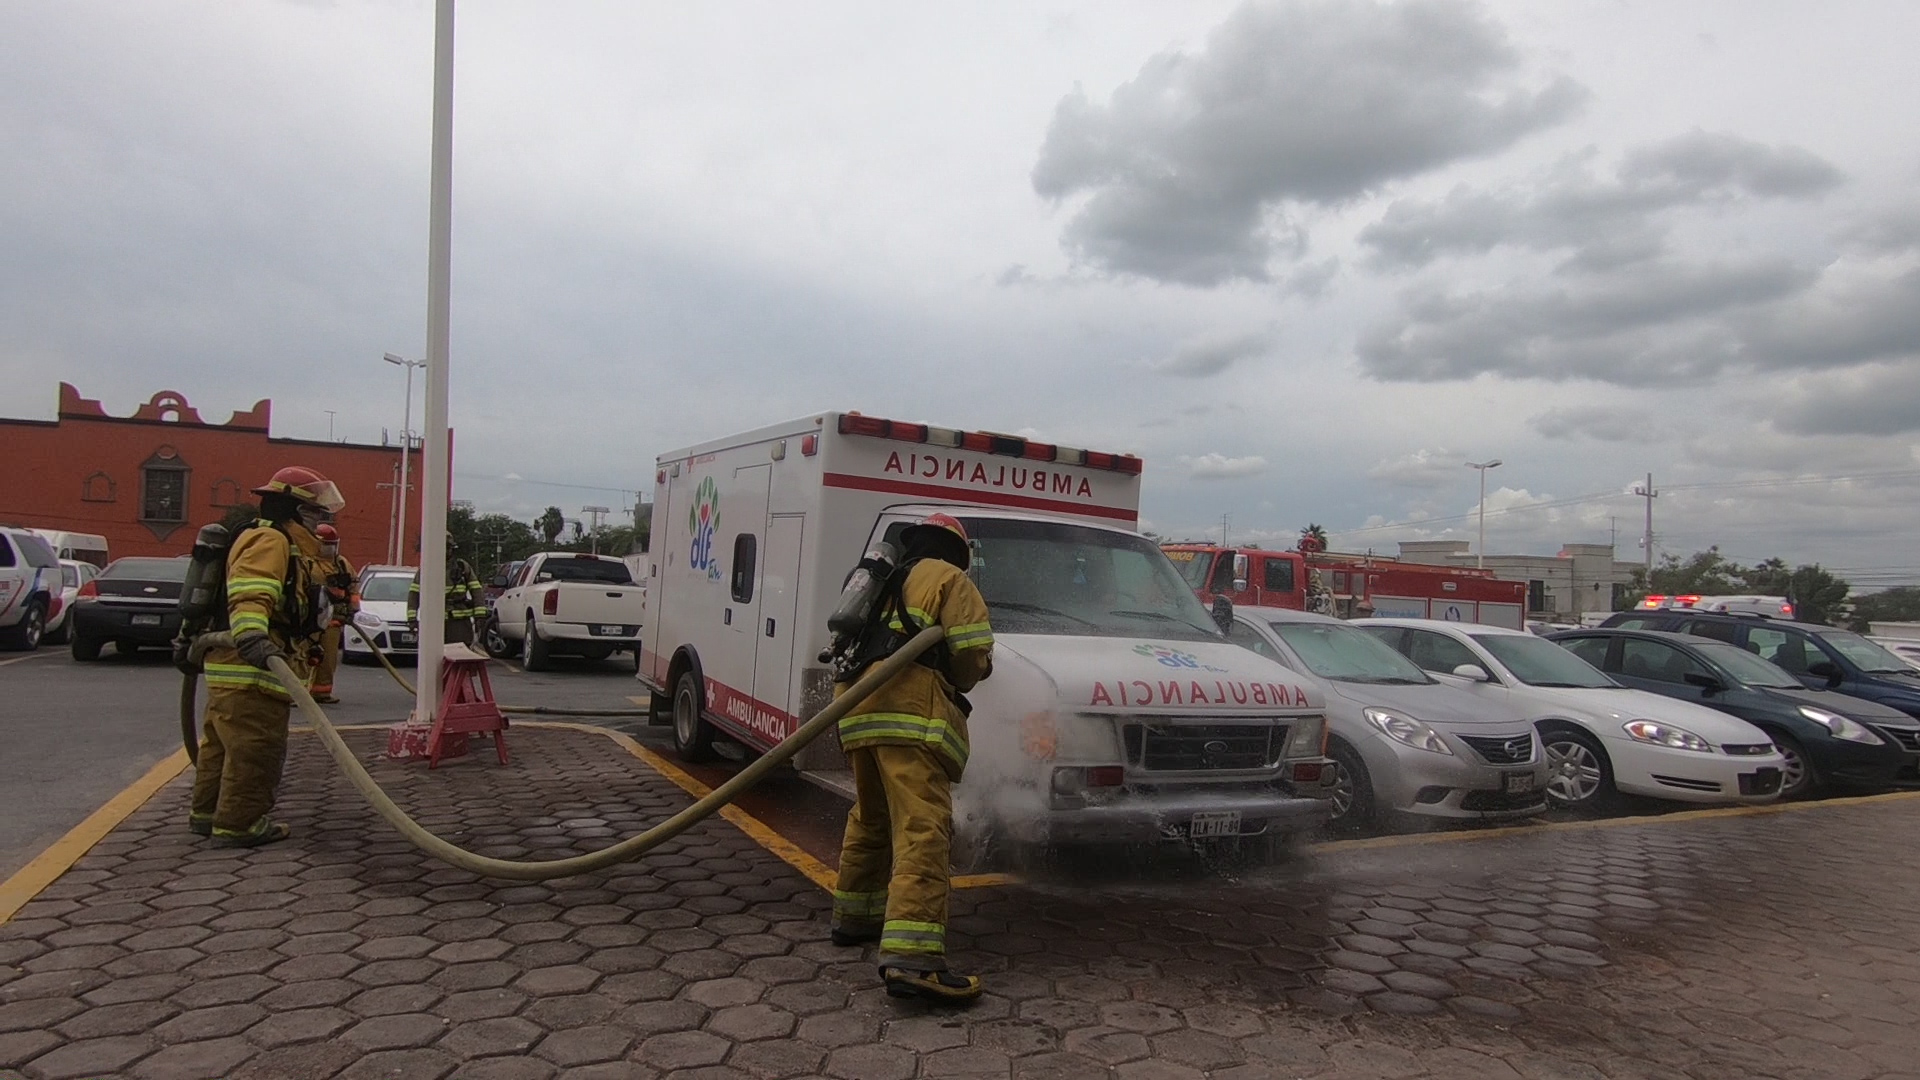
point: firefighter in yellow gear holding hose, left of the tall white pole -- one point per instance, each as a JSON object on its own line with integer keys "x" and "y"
{"x": 274, "y": 610}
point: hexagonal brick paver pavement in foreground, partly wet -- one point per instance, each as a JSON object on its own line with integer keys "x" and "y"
{"x": 1717, "y": 948}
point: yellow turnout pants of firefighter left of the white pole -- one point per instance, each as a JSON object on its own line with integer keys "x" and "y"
{"x": 243, "y": 750}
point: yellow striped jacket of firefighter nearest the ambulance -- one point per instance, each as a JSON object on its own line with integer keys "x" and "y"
{"x": 917, "y": 706}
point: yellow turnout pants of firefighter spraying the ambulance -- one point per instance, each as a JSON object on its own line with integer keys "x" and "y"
{"x": 896, "y": 856}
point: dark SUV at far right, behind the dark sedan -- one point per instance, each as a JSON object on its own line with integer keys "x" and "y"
{"x": 1817, "y": 656}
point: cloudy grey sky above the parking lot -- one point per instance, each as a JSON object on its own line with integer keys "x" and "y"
{"x": 1307, "y": 258}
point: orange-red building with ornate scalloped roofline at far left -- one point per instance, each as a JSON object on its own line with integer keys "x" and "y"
{"x": 153, "y": 479}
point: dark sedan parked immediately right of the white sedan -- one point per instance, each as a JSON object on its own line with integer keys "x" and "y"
{"x": 1829, "y": 739}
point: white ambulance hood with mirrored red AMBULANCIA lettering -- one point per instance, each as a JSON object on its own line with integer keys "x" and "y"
{"x": 1161, "y": 675}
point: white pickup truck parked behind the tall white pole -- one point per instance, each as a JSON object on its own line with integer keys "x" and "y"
{"x": 569, "y": 602}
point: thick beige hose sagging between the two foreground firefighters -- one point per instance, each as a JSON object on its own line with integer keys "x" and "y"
{"x": 621, "y": 852}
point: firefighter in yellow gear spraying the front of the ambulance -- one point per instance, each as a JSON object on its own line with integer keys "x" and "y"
{"x": 909, "y": 747}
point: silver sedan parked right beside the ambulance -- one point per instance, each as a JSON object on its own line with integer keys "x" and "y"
{"x": 1404, "y": 743}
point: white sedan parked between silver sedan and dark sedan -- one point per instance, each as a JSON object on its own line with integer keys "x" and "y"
{"x": 1602, "y": 739}
